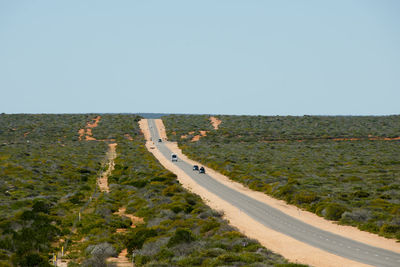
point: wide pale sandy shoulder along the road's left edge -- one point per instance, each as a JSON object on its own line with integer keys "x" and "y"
{"x": 288, "y": 247}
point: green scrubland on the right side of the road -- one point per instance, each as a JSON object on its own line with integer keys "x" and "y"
{"x": 341, "y": 168}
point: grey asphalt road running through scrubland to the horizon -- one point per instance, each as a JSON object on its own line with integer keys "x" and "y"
{"x": 278, "y": 221}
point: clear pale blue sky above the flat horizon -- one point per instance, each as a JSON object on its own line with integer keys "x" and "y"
{"x": 221, "y": 57}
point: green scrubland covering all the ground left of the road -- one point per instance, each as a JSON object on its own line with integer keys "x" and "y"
{"x": 48, "y": 177}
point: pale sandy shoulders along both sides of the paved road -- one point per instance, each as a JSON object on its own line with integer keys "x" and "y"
{"x": 290, "y": 248}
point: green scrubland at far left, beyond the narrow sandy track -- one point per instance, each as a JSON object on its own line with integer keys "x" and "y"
{"x": 46, "y": 175}
